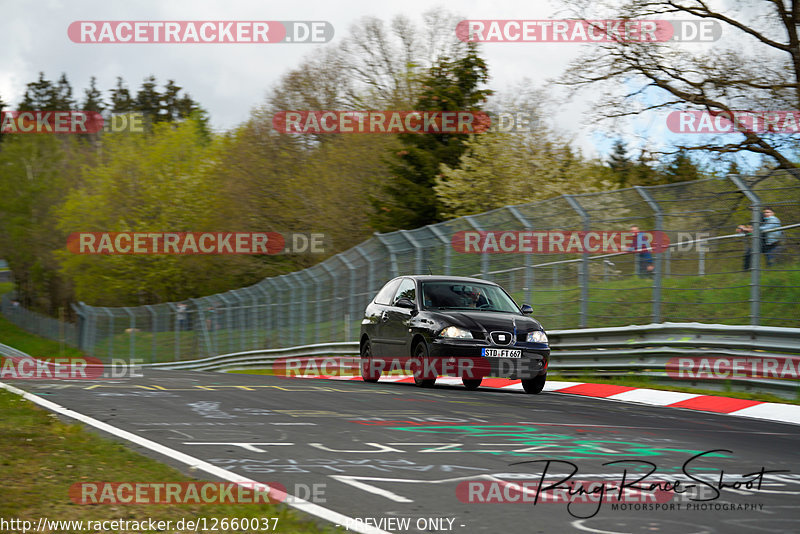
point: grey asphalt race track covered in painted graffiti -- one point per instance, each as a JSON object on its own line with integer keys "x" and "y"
{"x": 430, "y": 456}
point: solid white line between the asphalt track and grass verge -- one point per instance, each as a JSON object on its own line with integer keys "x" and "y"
{"x": 191, "y": 461}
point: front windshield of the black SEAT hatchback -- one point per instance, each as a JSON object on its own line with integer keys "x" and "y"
{"x": 445, "y": 295}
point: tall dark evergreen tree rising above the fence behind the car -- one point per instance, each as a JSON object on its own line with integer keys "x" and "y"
{"x": 409, "y": 198}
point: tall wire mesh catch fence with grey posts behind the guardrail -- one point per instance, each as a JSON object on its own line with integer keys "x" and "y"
{"x": 699, "y": 277}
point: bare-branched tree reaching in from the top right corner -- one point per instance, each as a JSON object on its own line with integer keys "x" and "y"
{"x": 755, "y": 66}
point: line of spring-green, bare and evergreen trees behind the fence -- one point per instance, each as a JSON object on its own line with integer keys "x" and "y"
{"x": 177, "y": 176}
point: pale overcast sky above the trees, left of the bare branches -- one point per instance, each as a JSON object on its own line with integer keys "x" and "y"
{"x": 230, "y": 79}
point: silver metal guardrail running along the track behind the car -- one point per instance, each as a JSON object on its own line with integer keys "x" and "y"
{"x": 641, "y": 349}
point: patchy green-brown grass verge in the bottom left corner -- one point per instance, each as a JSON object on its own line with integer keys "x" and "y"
{"x": 41, "y": 457}
